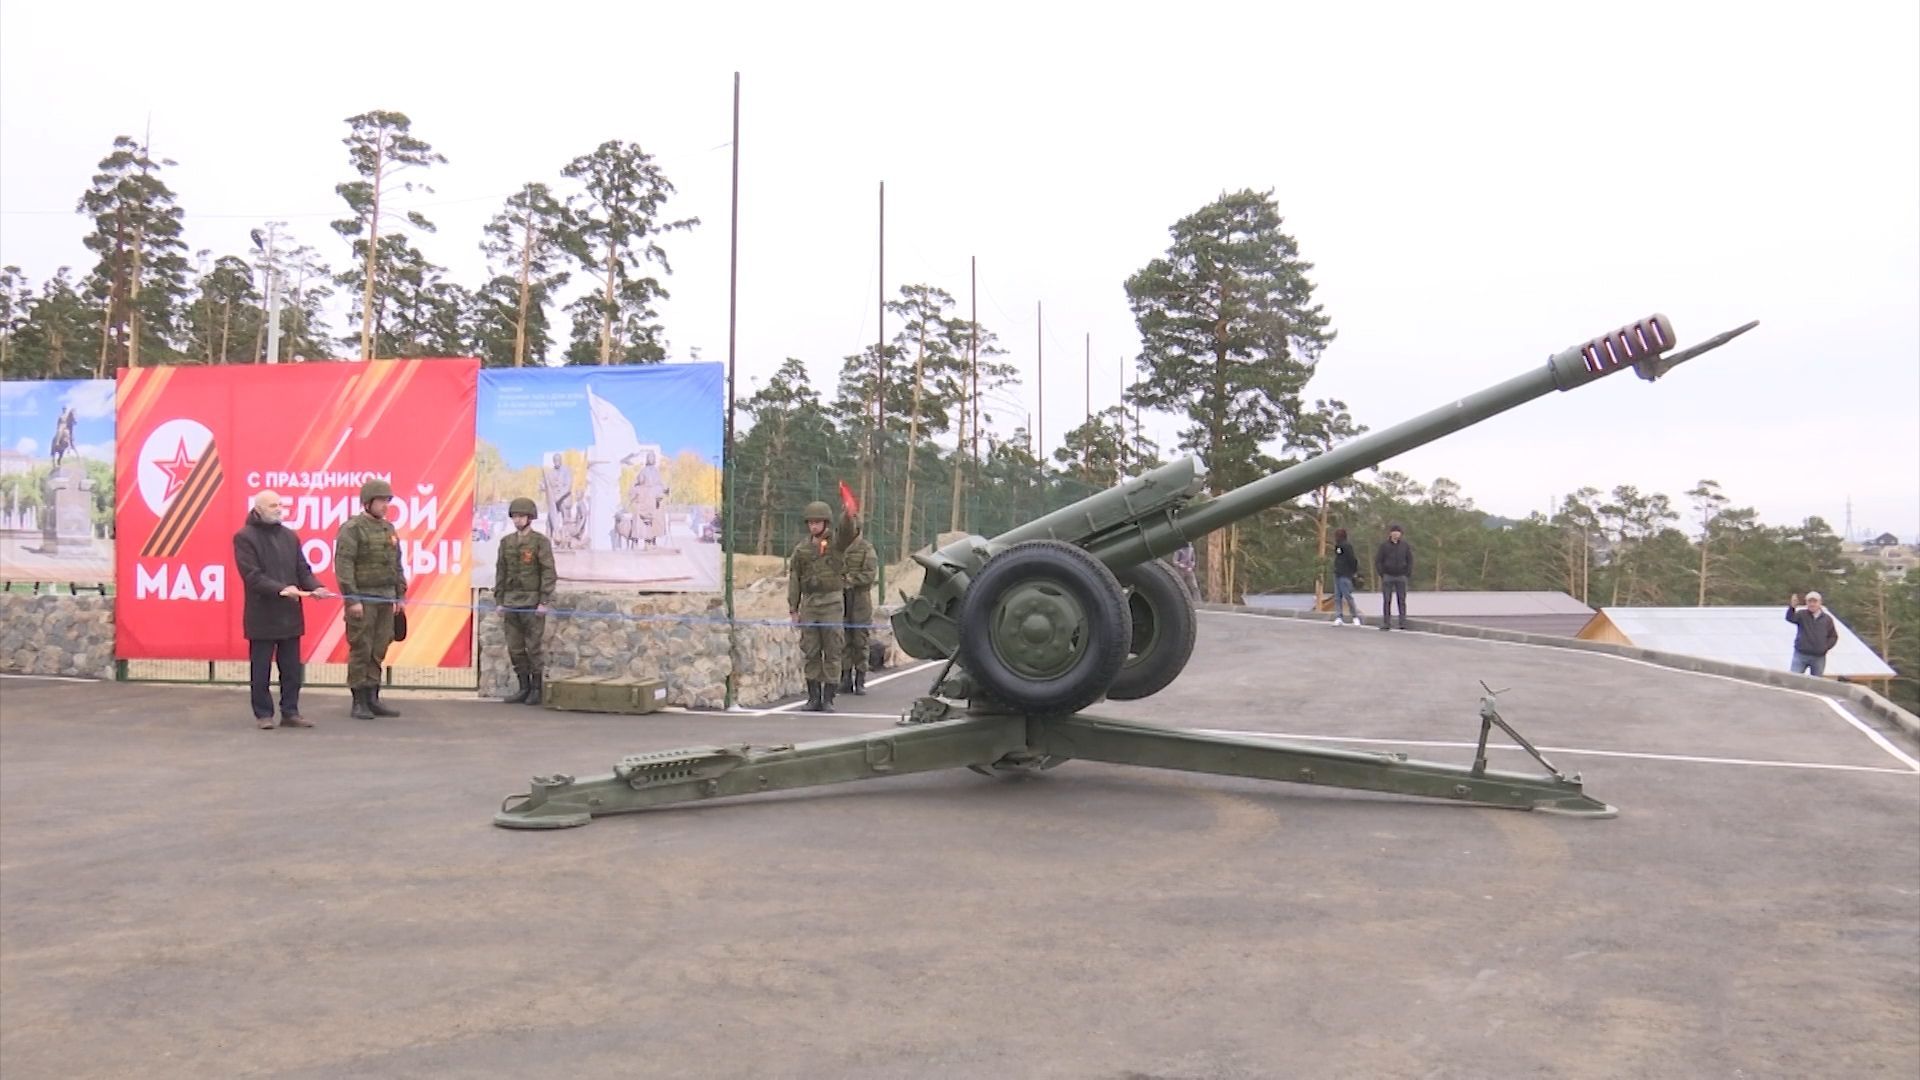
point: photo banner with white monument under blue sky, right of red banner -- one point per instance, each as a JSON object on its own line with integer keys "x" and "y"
{"x": 623, "y": 466}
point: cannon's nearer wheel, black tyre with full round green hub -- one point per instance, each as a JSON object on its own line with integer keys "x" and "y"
{"x": 1044, "y": 627}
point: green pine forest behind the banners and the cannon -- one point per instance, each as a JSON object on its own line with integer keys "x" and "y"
{"x": 581, "y": 258}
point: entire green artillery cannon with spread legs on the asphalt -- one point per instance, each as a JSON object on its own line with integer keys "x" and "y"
{"x": 1053, "y": 616}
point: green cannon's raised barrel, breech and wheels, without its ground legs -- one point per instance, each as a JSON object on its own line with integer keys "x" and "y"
{"x": 1074, "y": 604}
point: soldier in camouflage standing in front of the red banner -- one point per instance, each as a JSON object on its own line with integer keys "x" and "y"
{"x": 375, "y": 583}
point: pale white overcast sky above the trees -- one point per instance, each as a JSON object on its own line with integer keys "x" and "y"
{"x": 1477, "y": 185}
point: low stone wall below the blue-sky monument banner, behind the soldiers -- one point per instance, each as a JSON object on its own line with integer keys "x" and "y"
{"x": 681, "y": 639}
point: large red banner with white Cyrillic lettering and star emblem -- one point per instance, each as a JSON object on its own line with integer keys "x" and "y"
{"x": 199, "y": 443}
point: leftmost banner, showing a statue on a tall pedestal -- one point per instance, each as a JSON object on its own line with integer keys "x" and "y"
{"x": 57, "y": 481}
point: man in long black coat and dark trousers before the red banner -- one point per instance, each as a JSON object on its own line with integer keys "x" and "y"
{"x": 276, "y": 577}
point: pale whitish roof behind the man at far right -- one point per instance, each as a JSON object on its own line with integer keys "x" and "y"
{"x": 1756, "y": 637}
